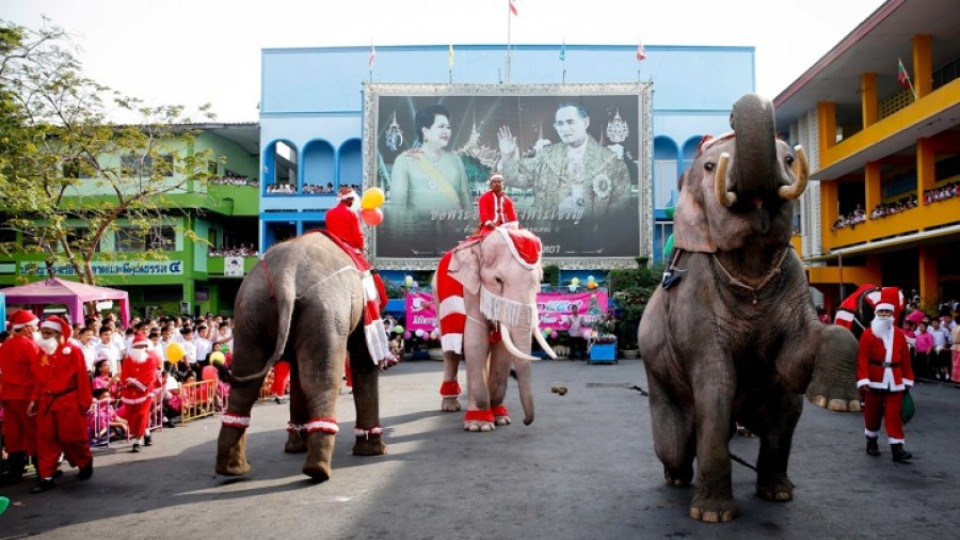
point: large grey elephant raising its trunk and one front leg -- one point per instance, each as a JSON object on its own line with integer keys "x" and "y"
{"x": 732, "y": 335}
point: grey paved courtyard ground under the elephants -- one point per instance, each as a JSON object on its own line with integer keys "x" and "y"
{"x": 584, "y": 469}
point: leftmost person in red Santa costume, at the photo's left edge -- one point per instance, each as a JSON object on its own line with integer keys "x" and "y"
{"x": 17, "y": 356}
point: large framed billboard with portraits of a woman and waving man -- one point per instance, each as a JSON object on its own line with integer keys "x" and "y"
{"x": 575, "y": 160}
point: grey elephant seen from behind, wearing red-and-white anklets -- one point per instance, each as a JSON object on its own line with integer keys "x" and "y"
{"x": 304, "y": 302}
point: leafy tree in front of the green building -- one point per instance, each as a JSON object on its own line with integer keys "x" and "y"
{"x": 68, "y": 175}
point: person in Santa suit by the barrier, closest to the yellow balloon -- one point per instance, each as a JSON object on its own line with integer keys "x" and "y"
{"x": 139, "y": 376}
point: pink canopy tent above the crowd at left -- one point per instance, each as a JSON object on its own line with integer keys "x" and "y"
{"x": 70, "y": 293}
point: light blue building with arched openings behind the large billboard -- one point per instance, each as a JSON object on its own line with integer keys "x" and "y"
{"x": 312, "y": 111}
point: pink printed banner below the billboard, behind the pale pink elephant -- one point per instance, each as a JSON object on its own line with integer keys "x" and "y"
{"x": 554, "y": 309}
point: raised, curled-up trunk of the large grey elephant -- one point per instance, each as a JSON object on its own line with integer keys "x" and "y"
{"x": 755, "y": 167}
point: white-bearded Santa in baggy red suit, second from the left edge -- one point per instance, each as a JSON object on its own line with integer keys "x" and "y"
{"x": 61, "y": 398}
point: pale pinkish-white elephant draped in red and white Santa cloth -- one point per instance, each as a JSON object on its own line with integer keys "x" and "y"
{"x": 486, "y": 289}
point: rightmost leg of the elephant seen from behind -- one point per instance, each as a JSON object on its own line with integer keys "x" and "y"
{"x": 366, "y": 397}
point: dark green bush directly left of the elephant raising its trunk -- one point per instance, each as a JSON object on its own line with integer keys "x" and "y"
{"x": 632, "y": 288}
